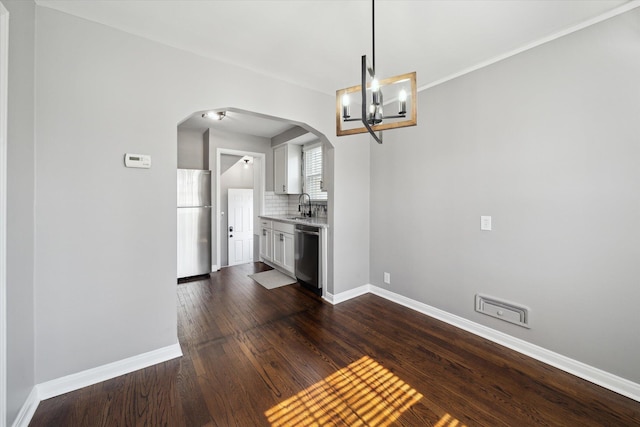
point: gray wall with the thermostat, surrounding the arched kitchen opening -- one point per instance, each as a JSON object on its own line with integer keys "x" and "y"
{"x": 106, "y": 237}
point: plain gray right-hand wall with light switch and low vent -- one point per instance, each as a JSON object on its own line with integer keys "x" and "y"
{"x": 547, "y": 143}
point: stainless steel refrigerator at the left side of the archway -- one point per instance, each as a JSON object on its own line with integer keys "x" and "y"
{"x": 194, "y": 222}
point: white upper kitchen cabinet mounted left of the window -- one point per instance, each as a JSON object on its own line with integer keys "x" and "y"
{"x": 287, "y": 169}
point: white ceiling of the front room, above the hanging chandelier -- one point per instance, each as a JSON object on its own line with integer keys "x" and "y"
{"x": 318, "y": 43}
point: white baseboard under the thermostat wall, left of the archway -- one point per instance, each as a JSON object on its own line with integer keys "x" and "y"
{"x": 92, "y": 376}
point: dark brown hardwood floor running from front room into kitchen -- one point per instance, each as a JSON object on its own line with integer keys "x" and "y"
{"x": 258, "y": 357}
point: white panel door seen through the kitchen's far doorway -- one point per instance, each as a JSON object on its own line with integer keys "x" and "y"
{"x": 240, "y": 228}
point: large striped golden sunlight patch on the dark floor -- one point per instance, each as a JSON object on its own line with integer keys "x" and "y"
{"x": 362, "y": 394}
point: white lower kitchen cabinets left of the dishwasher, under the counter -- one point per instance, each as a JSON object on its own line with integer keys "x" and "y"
{"x": 277, "y": 244}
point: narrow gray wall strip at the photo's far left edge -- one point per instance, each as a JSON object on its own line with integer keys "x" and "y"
{"x": 20, "y": 206}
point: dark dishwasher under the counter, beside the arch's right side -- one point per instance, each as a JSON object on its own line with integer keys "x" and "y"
{"x": 307, "y": 257}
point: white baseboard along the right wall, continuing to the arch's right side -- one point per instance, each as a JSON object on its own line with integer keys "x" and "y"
{"x": 597, "y": 376}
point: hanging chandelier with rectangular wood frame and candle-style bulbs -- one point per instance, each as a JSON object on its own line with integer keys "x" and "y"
{"x": 371, "y": 92}
